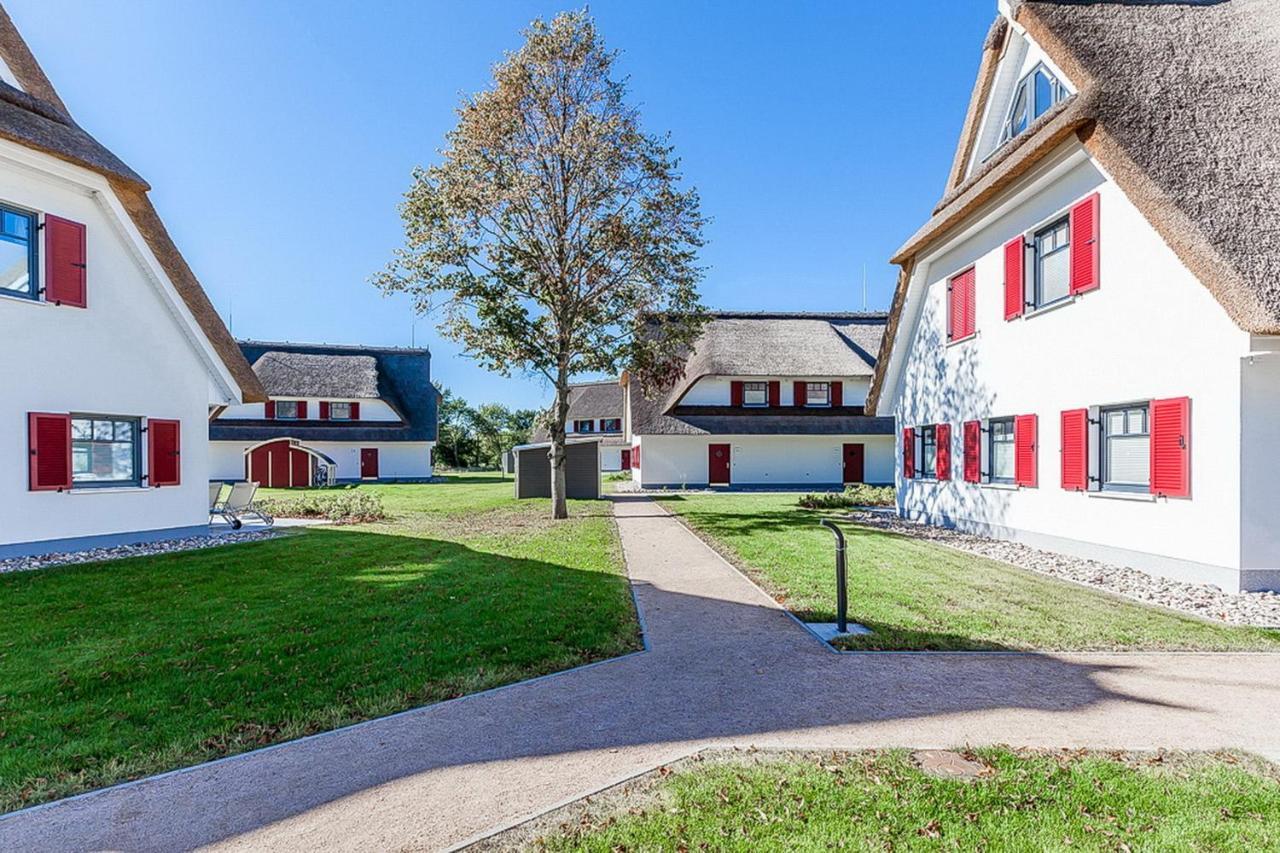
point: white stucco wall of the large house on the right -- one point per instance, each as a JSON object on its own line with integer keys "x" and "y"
{"x": 1150, "y": 331}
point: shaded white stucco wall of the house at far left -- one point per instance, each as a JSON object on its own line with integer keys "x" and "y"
{"x": 127, "y": 354}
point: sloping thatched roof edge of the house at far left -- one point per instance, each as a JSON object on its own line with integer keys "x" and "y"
{"x": 36, "y": 117}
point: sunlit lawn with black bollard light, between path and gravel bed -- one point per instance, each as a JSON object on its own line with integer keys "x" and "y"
{"x": 921, "y": 596}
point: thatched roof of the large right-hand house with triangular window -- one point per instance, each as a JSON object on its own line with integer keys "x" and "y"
{"x": 1176, "y": 101}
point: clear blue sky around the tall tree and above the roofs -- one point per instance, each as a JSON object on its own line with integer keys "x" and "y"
{"x": 280, "y": 139}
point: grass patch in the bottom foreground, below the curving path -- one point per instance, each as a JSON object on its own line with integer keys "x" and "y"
{"x": 881, "y": 801}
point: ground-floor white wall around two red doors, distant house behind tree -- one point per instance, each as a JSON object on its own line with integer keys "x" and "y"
{"x": 761, "y": 460}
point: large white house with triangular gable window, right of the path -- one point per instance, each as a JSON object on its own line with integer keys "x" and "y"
{"x": 1084, "y": 348}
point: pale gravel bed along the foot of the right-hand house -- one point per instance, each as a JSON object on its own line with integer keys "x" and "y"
{"x": 1261, "y": 609}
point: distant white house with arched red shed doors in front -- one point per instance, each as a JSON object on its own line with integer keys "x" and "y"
{"x": 335, "y": 414}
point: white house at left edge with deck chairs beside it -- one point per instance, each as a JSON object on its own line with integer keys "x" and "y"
{"x": 115, "y": 355}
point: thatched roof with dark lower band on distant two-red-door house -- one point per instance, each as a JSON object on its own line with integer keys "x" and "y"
{"x": 743, "y": 344}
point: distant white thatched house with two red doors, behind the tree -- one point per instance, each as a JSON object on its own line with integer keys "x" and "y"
{"x": 766, "y": 400}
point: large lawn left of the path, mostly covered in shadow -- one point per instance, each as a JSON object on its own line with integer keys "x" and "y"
{"x": 124, "y": 669}
